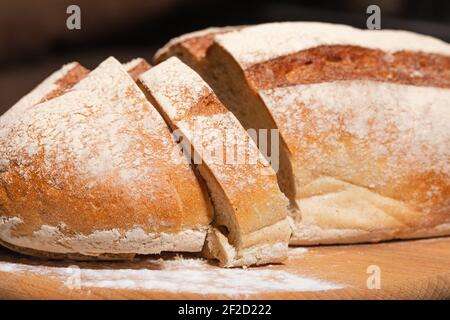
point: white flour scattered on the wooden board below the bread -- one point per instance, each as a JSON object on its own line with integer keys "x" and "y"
{"x": 184, "y": 275}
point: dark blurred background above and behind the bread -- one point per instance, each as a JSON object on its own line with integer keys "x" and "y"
{"x": 34, "y": 39}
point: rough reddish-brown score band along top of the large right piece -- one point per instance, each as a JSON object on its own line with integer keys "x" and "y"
{"x": 334, "y": 63}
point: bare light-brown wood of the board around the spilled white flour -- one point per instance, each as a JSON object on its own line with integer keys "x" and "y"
{"x": 416, "y": 269}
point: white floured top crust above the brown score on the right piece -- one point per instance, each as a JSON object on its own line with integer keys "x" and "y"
{"x": 260, "y": 43}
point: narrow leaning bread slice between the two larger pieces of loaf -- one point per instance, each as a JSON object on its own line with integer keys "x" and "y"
{"x": 250, "y": 224}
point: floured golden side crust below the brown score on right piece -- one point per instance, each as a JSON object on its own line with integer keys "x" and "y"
{"x": 382, "y": 169}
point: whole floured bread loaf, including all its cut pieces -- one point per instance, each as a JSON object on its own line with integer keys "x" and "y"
{"x": 89, "y": 167}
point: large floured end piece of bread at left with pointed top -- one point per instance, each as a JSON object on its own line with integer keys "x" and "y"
{"x": 81, "y": 175}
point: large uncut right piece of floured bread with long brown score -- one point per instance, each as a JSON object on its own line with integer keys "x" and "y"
{"x": 362, "y": 119}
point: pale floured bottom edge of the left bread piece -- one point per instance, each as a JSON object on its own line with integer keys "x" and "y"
{"x": 135, "y": 241}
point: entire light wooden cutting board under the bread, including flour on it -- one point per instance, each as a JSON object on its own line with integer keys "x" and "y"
{"x": 416, "y": 269}
